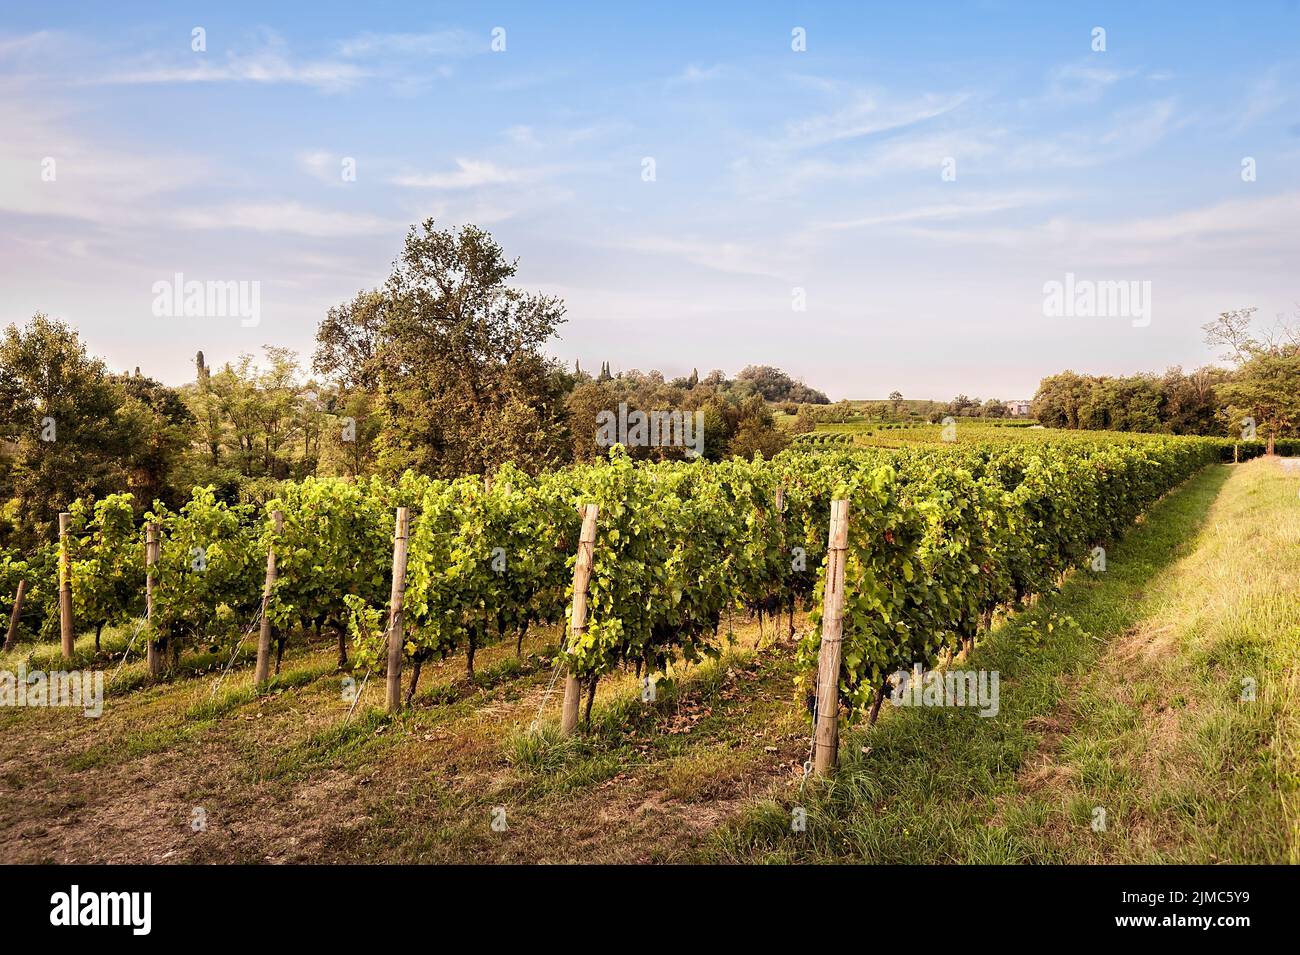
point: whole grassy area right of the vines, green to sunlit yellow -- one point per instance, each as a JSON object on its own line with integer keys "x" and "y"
{"x": 1132, "y": 704}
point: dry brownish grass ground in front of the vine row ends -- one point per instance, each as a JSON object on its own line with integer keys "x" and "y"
{"x": 287, "y": 778}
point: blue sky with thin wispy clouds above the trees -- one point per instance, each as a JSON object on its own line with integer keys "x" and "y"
{"x": 873, "y": 197}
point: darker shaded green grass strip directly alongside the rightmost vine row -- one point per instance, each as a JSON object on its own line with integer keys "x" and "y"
{"x": 941, "y": 785}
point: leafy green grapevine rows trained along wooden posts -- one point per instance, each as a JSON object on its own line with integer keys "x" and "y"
{"x": 938, "y": 542}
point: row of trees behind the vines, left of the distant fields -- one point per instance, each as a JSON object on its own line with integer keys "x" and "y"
{"x": 441, "y": 370}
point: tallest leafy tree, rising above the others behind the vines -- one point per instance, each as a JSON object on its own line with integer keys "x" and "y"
{"x": 454, "y": 354}
